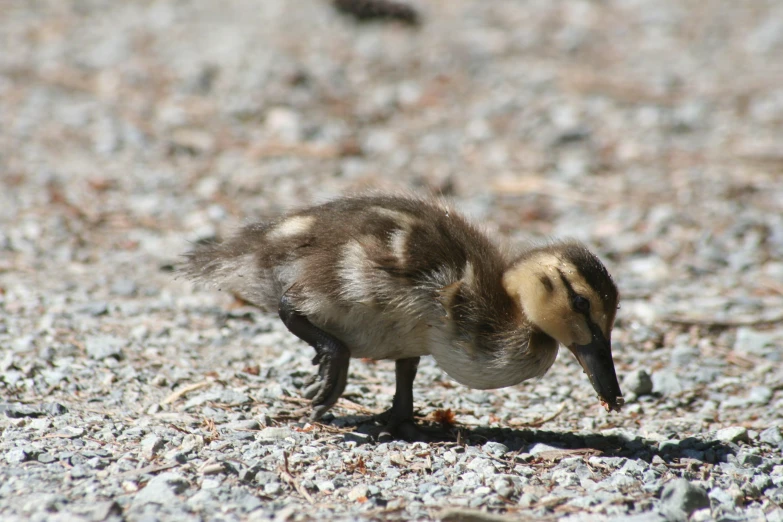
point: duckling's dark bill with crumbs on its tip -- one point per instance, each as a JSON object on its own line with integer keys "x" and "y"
{"x": 596, "y": 360}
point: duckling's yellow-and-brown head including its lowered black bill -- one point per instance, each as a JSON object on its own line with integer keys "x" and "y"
{"x": 567, "y": 293}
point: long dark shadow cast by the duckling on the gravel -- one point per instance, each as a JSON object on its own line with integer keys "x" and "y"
{"x": 522, "y": 440}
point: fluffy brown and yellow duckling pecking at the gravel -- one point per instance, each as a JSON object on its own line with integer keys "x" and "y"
{"x": 393, "y": 277}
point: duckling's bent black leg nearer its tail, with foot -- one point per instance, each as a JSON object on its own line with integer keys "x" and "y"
{"x": 331, "y": 355}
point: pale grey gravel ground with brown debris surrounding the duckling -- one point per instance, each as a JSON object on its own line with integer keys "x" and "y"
{"x": 650, "y": 129}
